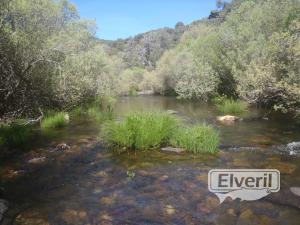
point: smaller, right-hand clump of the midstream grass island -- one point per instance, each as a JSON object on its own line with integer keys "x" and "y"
{"x": 196, "y": 139}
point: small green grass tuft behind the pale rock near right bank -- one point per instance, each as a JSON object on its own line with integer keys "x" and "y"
{"x": 234, "y": 107}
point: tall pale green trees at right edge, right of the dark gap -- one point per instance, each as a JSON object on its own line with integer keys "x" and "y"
{"x": 261, "y": 51}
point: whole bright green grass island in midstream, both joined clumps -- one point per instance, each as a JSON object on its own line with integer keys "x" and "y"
{"x": 148, "y": 130}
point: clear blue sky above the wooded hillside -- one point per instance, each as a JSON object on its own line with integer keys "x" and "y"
{"x": 123, "y": 18}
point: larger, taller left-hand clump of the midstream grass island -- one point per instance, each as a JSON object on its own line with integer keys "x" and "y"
{"x": 141, "y": 130}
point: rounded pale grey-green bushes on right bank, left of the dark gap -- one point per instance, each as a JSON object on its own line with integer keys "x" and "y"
{"x": 184, "y": 70}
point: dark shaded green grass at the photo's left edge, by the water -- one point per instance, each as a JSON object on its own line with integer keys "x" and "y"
{"x": 15, "y": 135}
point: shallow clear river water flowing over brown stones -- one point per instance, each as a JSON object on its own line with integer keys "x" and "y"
{"x": 88, "y": 184}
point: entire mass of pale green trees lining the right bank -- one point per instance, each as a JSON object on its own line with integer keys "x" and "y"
{"x": 250, "y": 51}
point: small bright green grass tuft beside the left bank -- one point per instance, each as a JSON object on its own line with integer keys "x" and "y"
{"x": 55, "y": 120}
